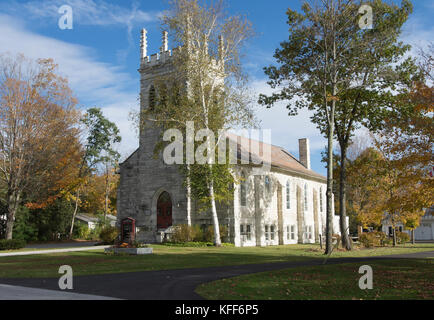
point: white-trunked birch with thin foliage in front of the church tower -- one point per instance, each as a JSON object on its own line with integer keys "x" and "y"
{"x": 212, "y": 92}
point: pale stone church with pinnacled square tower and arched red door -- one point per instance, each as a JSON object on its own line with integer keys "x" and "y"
{"x": 285, "y": 205}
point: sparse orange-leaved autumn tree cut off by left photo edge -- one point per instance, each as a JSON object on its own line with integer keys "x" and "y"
{"x": 39, "y": 145}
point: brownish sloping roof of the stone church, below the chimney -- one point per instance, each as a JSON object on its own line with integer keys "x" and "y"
{"x": 280, "y": 158}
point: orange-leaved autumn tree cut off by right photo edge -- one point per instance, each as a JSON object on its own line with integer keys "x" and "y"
{"x": 406, "y": 143}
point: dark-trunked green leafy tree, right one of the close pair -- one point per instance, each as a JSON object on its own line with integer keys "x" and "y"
{"x": 366, "y": 99}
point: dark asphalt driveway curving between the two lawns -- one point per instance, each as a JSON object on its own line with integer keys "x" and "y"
{"x": 177, "y": 284}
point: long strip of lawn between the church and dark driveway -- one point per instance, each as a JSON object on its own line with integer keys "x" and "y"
{"x": 166, "y": 258}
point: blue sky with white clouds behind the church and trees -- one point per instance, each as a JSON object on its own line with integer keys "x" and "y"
{"x": 100, "y": 55}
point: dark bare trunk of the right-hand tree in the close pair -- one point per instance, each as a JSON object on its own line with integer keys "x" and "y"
{"x": 342, "y": 201}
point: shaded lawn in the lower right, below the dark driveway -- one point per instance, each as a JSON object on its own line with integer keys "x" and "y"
{"x": 392, "y": 280}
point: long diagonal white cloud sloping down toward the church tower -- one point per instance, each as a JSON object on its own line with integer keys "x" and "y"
{"x": 98, "y": 84}
